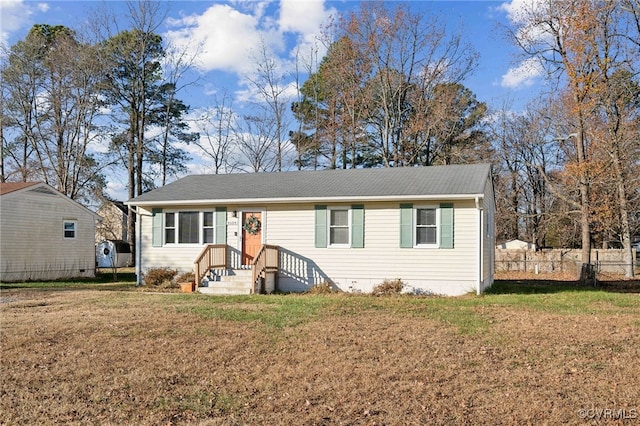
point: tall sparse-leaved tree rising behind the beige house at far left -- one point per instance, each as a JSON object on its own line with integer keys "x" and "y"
{"x": 50, "y": 106}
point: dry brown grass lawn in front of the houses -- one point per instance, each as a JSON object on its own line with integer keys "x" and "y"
{"x": 105, "y": 357}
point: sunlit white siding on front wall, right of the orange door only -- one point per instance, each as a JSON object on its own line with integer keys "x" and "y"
{"x": 443, "y": 271}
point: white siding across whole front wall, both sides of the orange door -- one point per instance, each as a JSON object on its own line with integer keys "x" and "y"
{"x": 303, "y": 263}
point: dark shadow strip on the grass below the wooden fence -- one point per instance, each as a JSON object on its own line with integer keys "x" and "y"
{"x": 557, "y": 286}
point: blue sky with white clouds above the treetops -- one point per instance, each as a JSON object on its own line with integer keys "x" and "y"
{"x": 228, "y": 33}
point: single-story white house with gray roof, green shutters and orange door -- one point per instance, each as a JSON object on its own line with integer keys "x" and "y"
{"x": 432, "y": 227}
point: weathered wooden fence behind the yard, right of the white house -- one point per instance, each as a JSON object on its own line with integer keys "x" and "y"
{"x": 558, "y": 260}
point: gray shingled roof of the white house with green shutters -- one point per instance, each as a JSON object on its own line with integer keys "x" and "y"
{"x": 402, "y": 182}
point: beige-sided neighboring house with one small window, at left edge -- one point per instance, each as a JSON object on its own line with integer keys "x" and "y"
{"x": 44, "y": 235}
